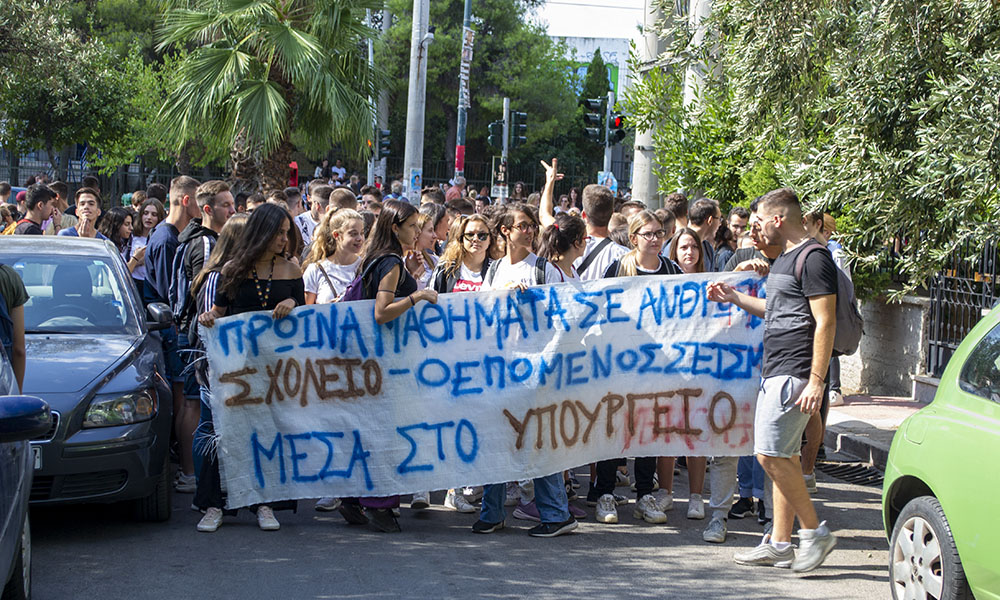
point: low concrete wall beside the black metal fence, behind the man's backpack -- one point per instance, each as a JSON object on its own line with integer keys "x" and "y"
{"x": 893, "y": 348}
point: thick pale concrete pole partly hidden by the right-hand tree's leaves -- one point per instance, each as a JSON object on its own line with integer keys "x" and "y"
{"x": 645, "y": 184}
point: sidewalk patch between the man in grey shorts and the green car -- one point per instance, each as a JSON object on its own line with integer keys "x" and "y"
{"x": 864, "y": 425}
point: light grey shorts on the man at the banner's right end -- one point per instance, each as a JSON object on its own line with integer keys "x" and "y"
{"x": 778, "y": 423}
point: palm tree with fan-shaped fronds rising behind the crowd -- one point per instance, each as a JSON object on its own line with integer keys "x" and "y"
{"x": 257, "y": 73}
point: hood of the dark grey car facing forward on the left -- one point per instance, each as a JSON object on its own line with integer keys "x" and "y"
{"x": 64, "y": 363}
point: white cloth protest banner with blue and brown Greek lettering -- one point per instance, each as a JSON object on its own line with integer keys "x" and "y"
{"x": 481, "y": 387}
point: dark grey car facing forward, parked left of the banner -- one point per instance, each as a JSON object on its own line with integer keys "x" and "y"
{"x": 93, "y": 356}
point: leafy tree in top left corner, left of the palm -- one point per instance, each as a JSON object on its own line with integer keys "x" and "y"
{"x": 56, "y": 88}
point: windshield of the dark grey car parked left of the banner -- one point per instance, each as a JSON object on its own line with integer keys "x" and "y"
{"x": 73, "y": 294}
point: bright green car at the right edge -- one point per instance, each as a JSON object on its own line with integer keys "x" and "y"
{"x": 942, "y": 481}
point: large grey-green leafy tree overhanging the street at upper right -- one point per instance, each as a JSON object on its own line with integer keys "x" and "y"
{"x": 885, "y": 113}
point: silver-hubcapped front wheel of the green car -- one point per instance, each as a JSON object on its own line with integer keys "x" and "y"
{"x": 923, "y": 560}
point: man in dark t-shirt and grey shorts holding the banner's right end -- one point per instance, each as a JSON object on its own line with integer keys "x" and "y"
{"x": 800, "y": 324}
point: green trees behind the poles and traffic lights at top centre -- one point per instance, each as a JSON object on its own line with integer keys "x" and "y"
{"x": 512, "y": 57}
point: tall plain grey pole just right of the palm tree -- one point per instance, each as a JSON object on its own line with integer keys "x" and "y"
{"x": 416, "y": 99}
